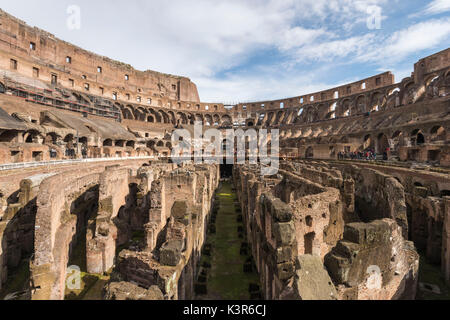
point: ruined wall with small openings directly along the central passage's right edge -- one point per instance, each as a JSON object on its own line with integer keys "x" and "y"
{"x": 286, "y": 218}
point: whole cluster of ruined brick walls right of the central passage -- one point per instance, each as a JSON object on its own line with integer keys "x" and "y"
{"x": 297, "y": 227}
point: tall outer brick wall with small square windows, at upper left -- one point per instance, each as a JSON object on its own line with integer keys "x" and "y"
{"x": 32, "y": 52}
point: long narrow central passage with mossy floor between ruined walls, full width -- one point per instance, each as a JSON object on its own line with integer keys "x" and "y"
{"x": 227, "y": 267}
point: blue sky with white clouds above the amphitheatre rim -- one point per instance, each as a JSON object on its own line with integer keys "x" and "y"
{"x": 244, "y": 50}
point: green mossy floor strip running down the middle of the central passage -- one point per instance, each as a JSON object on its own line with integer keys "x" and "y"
{"x": 226, "y": 279}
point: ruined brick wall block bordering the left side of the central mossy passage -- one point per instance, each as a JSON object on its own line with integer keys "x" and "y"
{"x": 180, "y": 204}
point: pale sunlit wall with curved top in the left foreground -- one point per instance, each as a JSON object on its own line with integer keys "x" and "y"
{"x": 55, "y": 230}
